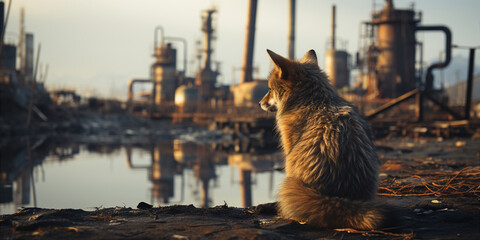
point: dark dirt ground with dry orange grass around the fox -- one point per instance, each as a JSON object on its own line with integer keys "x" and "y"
{"x": 434, "y": 182}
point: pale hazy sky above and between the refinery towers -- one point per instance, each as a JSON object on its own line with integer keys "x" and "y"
{"x": 96, "y": 46}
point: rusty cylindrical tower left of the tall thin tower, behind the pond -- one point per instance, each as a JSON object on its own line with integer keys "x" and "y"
{"x": 164, "y": 73}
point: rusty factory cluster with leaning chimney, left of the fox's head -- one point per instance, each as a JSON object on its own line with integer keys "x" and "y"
{"x": 178, "y": 96}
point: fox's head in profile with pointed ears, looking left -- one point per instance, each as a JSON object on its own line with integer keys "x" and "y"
{"x": 283, "y": 78}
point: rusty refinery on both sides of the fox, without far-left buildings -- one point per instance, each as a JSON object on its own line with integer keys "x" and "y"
{"x": 388, "y": 67}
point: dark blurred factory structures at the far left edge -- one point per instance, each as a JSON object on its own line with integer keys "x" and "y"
{"x": 22, "y": 87}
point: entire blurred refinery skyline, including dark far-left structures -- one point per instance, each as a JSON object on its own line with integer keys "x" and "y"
{"x": 386, "y": 76}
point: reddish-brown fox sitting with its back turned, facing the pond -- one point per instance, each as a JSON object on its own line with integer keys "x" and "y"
{"x": 331, "y": 165}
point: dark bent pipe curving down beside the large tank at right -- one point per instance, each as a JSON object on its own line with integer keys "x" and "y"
{"x": 448, "y": 53}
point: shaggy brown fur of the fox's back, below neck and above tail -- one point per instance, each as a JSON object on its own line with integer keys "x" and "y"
{"x": 333, "y": 153}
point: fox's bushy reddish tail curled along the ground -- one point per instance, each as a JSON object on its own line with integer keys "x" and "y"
{"x": 299, "y": 202}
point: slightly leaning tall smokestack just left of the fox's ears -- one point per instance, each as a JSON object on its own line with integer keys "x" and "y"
{"x": 249, "y": 41}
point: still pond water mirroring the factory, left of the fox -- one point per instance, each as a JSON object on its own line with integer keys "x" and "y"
{"x": 179, "y": 172}
